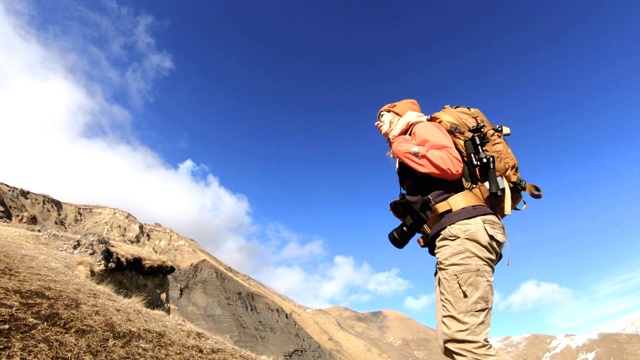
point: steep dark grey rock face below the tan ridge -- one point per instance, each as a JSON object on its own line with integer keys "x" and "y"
{"x": 208, "y": 297}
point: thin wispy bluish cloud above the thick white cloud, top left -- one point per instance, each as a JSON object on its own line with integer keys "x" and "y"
{"x": 105, "y": 44}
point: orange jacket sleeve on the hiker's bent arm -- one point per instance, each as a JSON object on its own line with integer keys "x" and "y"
{"x": 429, "y": 149}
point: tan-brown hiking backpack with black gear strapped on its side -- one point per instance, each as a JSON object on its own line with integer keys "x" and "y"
{"x": 491, "y": 170}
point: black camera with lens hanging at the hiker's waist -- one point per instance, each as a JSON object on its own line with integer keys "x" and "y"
{"x": 412, "y": 222}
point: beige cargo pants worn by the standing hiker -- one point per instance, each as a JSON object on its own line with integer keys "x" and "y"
{"x": 467, "y": 253}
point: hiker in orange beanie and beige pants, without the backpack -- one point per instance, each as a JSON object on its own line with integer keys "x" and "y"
{"x": 466, "y": 238}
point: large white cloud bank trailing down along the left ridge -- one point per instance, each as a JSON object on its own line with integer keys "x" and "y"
{"x": 66, "y": 135}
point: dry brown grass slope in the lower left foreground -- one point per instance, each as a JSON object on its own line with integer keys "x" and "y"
{"x": 48, "y": 310}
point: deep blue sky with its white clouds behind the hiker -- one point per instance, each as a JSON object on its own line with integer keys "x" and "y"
{"x": 248, "y": 126}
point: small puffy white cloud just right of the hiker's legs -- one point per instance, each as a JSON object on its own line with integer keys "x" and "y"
{"x": 534, "y": 293}
